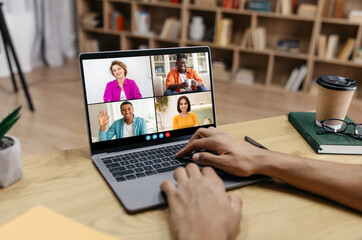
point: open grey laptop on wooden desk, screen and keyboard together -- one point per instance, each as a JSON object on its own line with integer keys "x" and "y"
{"x": 136, "y": 127}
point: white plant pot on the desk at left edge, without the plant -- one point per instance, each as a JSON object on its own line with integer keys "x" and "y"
{"x": 10, "y": 163}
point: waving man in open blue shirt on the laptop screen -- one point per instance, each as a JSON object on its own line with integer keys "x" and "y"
{"x": 128, "y": 126}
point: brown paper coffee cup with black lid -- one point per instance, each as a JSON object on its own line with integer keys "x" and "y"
{"x": 334, "y": 96}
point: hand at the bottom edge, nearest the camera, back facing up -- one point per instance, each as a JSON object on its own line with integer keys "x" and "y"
{"x": 199, "y": 205}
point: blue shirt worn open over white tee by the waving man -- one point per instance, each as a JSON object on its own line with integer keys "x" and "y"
{"x": 139, "y": 128}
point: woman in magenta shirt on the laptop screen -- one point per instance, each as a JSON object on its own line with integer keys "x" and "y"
{"x": 121, "y": 88}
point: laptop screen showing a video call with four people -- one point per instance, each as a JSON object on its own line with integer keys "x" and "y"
{"x": 146, "y": 97}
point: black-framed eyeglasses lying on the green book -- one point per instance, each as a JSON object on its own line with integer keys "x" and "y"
{"x": 340, "y": 126}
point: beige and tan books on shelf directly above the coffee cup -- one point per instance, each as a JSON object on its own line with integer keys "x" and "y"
{"x": 327, "y": 47}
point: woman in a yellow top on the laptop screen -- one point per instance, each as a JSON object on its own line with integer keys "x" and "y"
{"x": 185, "y": 119}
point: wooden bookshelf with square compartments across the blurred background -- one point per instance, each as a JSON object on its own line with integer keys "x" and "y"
{"x": 271, "y": 66}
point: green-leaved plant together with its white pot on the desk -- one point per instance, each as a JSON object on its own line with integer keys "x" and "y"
{"x": 10, "y": 153}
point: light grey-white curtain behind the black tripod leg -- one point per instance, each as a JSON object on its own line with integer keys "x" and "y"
{"x": 43, "y": 32}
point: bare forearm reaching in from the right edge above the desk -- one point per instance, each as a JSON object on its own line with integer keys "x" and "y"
{"x": 336, "y": 181}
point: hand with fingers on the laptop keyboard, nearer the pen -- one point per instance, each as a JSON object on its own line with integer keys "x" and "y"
{"x": 234, "y": 156}
